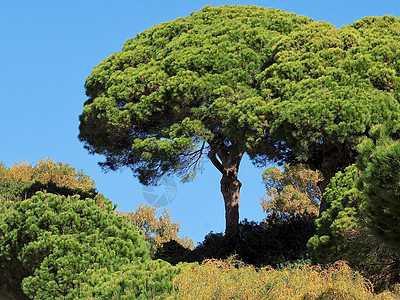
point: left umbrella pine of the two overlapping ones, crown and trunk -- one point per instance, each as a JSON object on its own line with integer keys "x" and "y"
{"x": 184, "y": 89}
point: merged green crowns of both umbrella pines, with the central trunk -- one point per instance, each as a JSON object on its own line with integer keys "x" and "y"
{"x": 231, "y": 80}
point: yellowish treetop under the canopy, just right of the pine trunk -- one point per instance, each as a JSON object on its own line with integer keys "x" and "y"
{"x": 292, "y": 191}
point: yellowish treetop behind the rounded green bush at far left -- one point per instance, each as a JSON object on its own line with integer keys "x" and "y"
{"x": 47, "y": 170}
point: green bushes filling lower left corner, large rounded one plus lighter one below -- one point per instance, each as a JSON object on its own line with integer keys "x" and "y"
{"x": 58, "y": 247}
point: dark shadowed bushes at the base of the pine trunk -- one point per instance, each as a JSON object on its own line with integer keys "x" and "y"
{"x": 277, "y": 240}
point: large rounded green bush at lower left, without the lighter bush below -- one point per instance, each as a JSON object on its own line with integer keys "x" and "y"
{"x": 48, "y": 242}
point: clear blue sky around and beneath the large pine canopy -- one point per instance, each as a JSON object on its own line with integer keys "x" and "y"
{"x": 47, "y": 50}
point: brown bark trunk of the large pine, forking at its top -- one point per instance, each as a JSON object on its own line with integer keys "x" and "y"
{"x": 228, "y": 164}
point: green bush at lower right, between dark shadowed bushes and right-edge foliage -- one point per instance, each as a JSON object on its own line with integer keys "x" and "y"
{"x": 342, "y": 233}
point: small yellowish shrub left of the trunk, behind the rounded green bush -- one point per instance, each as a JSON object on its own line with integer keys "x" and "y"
{"x": 156, "y": 230}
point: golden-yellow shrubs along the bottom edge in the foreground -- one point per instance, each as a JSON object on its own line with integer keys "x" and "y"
{"x": 230, "y": 279}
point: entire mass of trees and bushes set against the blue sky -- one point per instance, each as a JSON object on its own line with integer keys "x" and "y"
{"x": 221, "y": 83}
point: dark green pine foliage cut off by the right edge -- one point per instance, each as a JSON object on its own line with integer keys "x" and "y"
{"x": 379, "y": 162}
